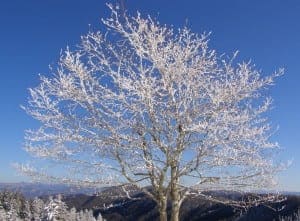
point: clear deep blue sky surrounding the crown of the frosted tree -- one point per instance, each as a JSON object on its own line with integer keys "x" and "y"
{"x": 33, "y": 32}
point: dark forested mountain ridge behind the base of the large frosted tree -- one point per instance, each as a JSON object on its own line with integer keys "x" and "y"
{"x": 113, "y": 205}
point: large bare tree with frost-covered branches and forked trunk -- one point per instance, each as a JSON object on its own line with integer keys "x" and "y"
{"x": 145, "y": 104}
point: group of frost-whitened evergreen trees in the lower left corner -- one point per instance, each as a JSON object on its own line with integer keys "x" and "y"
{"x": 14, "y": 207}
